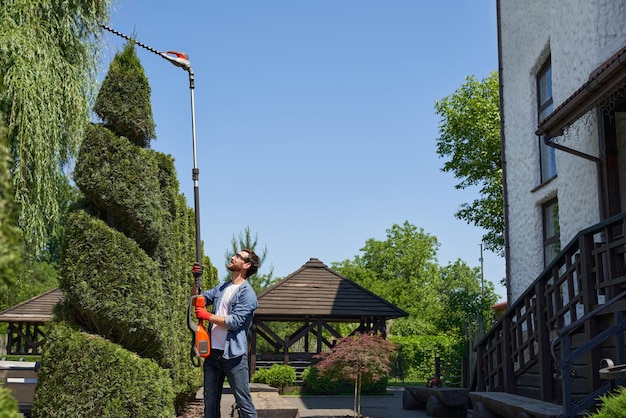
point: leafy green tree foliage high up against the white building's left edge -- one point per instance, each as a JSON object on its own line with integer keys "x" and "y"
{"x": 470, "y": 139}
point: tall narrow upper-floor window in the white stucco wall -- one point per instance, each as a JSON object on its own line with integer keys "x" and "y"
{"x": 547, "y": 162}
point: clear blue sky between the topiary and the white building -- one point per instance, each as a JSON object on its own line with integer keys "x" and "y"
{"x": 315, "y": 122}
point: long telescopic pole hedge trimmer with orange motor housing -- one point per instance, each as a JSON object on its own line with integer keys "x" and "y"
{"x": 201, "y": 345}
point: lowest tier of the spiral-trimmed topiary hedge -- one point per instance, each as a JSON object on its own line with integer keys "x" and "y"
{"x": 84, "y": 375}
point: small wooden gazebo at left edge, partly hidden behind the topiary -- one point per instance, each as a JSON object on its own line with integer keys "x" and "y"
{"x": 26, "y": 319}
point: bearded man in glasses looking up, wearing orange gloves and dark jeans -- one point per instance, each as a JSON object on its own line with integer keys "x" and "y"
{"x": 233, "y": 303}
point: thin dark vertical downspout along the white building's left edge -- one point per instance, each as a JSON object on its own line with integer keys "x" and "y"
{"x": 505, "y": 194}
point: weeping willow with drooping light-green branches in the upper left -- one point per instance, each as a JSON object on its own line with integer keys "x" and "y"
{"x": 48, "y": 66}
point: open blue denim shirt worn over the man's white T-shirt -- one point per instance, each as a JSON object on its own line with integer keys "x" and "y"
{"x": 238, "y": 321}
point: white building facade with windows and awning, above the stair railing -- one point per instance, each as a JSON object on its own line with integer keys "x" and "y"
{"x": 563, "y": 125}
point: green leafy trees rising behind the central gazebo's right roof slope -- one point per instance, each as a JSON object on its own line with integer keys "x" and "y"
{"x": 403, "y": 269}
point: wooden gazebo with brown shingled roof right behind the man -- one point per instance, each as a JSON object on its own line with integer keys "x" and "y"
{"x": 318, "y": 298}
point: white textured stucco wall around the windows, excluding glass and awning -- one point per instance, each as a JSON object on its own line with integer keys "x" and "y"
{"x": 578, "y": 35}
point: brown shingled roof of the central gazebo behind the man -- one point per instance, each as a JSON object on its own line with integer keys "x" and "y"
{"x": 314, "y": 290}
